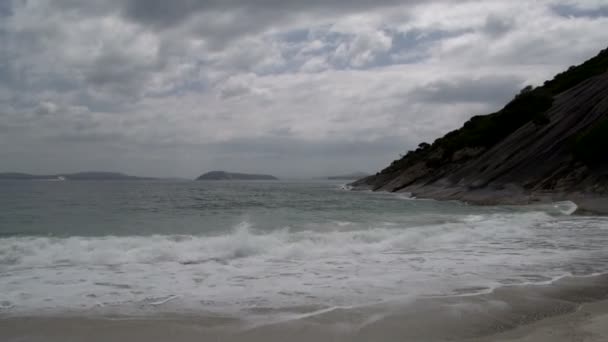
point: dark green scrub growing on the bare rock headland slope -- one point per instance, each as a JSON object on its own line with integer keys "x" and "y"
{"x": 530, "y": 105}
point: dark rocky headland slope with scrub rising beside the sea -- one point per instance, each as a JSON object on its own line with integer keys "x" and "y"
{"x": 547, "y": 144}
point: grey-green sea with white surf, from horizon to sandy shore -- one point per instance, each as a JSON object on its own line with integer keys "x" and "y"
{"x": 265, "y": 252}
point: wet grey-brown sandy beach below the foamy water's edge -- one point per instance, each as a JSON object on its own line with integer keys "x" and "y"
{"x": 568, "y": 309}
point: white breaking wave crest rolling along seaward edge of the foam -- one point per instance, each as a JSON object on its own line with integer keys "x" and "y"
{"x": 243, "y": 241}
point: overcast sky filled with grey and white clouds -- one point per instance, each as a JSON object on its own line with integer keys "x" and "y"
{"x": 291, "y": 88}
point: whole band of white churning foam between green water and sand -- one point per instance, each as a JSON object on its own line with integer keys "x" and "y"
{"x": 349, "y": 264}
